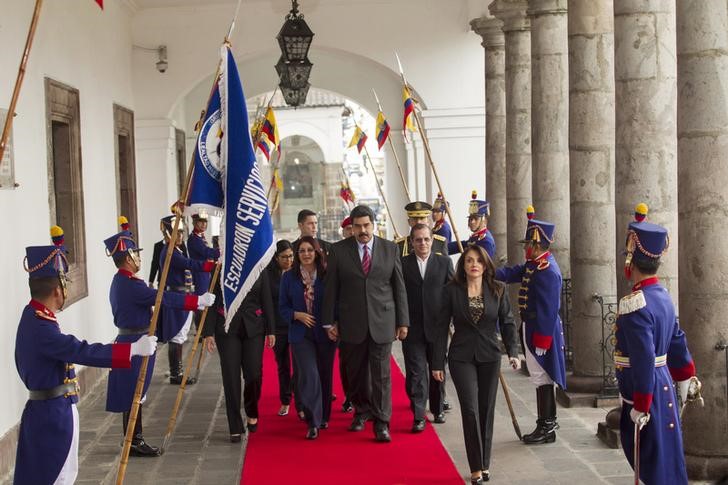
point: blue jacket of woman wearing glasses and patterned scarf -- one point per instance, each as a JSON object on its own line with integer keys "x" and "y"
{"x": 291, "y": 300}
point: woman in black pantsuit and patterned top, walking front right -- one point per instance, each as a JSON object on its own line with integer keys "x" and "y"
{"x": 476, "y": 304}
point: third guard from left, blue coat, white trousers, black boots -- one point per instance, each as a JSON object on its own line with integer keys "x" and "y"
{"x": 175, "y": 322}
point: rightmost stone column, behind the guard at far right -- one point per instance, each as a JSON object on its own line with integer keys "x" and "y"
{"x": 702, "y": 126}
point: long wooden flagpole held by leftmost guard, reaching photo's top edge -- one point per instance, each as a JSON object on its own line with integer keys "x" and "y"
{"x": 177, "y": 208}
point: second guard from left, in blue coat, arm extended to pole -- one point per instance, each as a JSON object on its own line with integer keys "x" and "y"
{"x": 131, "y": 304}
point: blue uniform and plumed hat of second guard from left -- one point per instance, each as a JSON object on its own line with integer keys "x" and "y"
{"x": 131, "y": 304}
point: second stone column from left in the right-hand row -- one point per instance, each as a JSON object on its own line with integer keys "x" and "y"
{"x": 517, "y": 35}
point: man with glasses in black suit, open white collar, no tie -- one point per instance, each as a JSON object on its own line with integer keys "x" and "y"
{"x": 425, "y": 276}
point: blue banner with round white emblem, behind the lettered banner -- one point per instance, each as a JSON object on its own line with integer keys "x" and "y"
{"x": 206, "y": 186}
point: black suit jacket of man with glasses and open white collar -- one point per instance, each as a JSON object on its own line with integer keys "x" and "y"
{"x": 424, "y": 297}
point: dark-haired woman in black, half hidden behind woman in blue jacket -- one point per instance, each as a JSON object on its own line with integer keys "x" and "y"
{"x": 281, "y": 262}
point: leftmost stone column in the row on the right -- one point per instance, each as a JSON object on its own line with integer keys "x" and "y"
{"x": 495, "y": 127}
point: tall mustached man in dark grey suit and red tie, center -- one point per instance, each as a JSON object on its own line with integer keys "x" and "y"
{"x": 364, "y": 282}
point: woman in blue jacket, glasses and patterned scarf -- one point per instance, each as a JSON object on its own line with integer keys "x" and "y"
{"x": 300, "y": 303}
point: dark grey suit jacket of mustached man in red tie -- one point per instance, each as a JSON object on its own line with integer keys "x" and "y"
{"x": 375, "y": 303}
